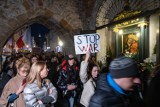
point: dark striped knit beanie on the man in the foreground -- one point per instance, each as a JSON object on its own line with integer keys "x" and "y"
{"x": 123, "y": 67}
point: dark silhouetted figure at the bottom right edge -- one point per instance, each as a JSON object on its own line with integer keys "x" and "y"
{"x": 153, "y": 91}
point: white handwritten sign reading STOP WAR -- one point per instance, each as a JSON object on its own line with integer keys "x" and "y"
{"x": 86, "y": 42}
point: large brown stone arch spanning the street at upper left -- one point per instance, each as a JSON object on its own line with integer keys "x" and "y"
{"x": 60, "y": 16}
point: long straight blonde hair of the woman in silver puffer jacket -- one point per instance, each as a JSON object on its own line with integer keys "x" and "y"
{"x": 34, "y": 73}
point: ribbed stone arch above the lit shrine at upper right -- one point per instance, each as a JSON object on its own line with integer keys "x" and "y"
{"x": 110, "y": 8}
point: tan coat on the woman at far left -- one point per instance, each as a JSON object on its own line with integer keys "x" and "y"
{"x": 10, "y": 88}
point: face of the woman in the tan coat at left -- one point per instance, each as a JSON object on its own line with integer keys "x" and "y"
{"x": 23, "y": 71}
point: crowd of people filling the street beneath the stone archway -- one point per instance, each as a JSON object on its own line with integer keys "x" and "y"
{"x": 55, "y": 80}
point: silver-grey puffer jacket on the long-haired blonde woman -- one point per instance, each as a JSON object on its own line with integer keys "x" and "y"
{"x": 32, "y": 93}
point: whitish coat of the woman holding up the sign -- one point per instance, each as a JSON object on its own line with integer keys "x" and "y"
{"x": 88, "y": 85}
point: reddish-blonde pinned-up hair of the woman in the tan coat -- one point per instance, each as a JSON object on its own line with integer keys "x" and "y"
{"x": 21, "y": 62}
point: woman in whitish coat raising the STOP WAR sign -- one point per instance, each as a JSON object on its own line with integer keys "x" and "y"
{"x": 88, "y": 79}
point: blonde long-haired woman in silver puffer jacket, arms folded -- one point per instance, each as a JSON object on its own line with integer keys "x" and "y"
{"x": 39, "y": 91}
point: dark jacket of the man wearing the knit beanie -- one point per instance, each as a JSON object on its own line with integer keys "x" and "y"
{"x": 106, "y": 96}
